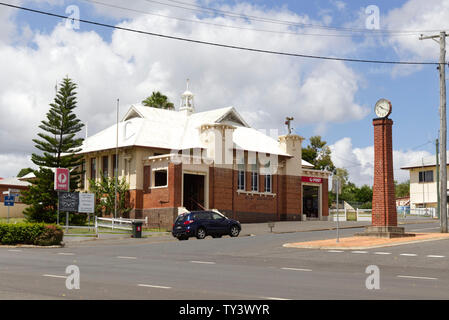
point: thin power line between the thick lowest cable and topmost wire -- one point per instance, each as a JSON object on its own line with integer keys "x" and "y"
{"x": 239, "y": 27}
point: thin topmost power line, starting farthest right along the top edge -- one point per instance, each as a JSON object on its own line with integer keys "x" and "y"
{"x": 209, "y": 10}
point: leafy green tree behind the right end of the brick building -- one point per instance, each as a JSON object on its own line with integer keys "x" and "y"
{"x": 318, "y": 154}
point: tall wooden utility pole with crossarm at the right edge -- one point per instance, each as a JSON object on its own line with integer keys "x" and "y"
{"x": 443, "y": 130}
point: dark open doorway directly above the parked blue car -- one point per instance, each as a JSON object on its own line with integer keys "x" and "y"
{"x": 193, "y": 196}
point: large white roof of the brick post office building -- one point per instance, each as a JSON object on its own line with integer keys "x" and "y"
{"x": 174, "y": 130}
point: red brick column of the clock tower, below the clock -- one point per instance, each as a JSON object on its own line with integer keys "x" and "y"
{"x": 384, "y": 206}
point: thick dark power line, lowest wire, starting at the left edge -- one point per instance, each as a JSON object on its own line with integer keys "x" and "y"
{"x": 219, "y": 44}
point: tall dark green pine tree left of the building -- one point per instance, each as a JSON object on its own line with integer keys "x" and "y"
{"x": 58, "y": 145}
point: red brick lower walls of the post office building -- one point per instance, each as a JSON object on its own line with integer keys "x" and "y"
{"x": 223, "y": 195}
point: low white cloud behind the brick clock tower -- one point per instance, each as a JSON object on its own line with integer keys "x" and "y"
{"x": 360, "y": 161}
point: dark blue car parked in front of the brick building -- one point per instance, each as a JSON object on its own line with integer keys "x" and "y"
{"x": 203, "y": 223}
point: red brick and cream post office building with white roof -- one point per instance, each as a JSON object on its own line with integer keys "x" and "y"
{"x": 181, "y": 160}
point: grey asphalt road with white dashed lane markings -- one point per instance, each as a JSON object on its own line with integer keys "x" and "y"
{"x": 252, "y": 267}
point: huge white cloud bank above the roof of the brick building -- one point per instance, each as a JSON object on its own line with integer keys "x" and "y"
{"x": 265, "y": 88}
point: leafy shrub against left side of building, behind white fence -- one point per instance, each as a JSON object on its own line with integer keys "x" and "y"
{"x": 104, "y": 191}
